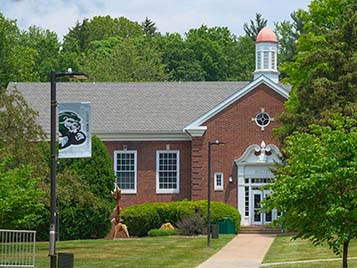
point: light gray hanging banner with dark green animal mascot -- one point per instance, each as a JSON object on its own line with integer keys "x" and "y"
{"x": 74, "y": 130}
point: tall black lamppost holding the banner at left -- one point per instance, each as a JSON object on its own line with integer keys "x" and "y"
{"x": 53, "y": 123}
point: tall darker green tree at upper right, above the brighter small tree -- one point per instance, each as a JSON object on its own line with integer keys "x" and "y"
{"x": 323, "y": 73}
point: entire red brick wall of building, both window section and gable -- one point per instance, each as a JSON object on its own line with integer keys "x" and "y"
{"x": 234, "y": 126}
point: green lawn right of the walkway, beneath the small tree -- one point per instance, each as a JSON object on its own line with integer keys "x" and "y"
{"x": 284, "y": 249}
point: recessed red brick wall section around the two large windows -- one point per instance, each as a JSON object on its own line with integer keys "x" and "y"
{"x": 146, "y": 170}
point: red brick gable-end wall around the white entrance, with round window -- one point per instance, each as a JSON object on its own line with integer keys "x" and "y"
{"x": 235, "y": 127}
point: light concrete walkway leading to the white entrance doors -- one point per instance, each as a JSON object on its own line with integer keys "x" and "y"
{"x": 244, "y": 251}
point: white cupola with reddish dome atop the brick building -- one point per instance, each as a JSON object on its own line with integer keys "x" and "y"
{"x": 266, "y": 50}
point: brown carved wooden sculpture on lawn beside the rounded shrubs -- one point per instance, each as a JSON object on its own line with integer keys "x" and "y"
{"x": 119, "y": 230}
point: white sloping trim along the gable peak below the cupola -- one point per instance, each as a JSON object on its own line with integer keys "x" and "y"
{"x": 251, "y": 86}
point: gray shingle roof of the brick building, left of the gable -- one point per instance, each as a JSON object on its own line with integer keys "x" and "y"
{"x": 158, "y": 107}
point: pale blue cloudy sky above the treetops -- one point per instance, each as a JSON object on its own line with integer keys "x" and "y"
{"x": 169, "y": 15}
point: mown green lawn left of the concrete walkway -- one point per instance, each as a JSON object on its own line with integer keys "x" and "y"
{"x": 173, "y": 252}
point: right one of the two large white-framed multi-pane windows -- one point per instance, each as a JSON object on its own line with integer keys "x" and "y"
{"x": 167, "y": 171}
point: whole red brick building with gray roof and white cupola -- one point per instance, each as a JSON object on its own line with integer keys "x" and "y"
{"x": 158, "y": 133}
